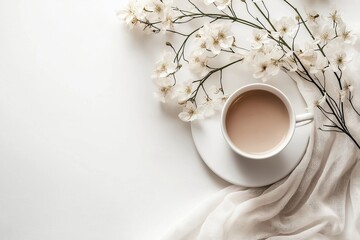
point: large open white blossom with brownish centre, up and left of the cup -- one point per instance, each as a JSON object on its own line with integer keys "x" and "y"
{"x": 218, "y": 36}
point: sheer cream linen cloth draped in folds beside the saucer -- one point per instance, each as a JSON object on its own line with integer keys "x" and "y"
{"x": 320, "y": 199}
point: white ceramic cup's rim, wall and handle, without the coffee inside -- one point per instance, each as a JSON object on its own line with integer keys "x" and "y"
{"x": 295, "y": 120}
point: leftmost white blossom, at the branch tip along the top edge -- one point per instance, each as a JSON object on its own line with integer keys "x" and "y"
{"x": 132, "y": 14}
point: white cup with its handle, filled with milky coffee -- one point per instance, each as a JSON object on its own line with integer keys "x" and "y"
{"x": 258, "y": 121}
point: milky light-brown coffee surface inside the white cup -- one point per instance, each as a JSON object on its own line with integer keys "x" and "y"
{"x": 257, "y": 121}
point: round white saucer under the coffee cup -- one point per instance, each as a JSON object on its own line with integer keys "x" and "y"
{"x": 238, "y": 170}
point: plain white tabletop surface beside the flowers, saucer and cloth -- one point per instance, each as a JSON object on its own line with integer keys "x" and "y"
{"x": 85, "y": 150}
